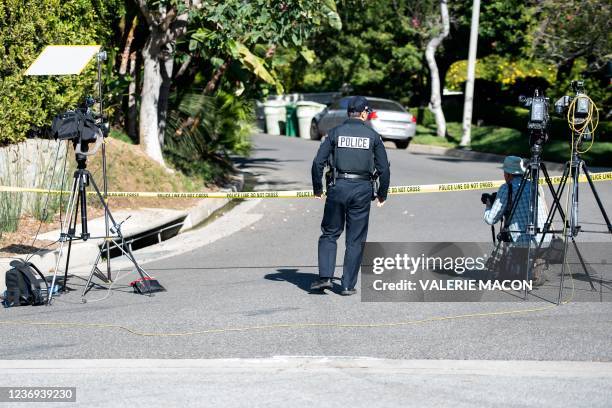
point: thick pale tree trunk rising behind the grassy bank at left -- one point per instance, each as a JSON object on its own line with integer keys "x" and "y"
{"x": 149, "y": 112}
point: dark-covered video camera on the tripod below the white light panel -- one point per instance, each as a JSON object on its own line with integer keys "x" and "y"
{"x": 81, "y": 126}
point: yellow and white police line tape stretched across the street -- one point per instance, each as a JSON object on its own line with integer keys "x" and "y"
{"x": 396, "y": 190}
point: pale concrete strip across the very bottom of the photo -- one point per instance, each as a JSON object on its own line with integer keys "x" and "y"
{"x": 320, "y": 381}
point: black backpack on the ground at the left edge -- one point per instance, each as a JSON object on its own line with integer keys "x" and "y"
{"x": 23, "y": 286}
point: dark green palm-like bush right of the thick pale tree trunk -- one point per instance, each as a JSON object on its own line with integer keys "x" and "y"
{"x": 203, "y": 131}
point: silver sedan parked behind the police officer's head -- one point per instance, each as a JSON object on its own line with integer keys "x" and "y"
{"x": 388, "y": 118}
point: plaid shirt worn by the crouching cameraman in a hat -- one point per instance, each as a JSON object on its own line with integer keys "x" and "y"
{"x": 518, "y": 224}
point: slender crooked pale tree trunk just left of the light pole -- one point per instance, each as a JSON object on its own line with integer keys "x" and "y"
{"x": 435, "y": 104}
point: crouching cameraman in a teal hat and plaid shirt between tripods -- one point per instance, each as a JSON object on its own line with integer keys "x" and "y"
{"x": 514, "y": 231}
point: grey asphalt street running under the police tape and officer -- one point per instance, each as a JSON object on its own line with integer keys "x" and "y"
{"x": 244, "y": 294}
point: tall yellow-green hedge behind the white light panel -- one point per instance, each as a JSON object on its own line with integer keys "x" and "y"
{"x": 27, "y": 27}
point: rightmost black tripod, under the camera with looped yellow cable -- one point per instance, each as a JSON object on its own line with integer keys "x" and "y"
{"x": 572, "y": 170}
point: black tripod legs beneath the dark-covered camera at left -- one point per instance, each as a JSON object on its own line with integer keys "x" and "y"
{"x": 78, "y": 202}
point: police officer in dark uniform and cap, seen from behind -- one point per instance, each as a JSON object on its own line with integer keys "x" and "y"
{"x": 354, "y": 152}
